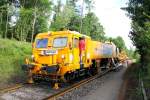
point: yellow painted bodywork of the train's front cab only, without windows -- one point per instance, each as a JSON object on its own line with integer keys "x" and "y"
{"x": 69, "y": 63}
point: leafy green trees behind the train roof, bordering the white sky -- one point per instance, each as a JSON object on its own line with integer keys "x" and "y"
{"x": 90, "y": 24}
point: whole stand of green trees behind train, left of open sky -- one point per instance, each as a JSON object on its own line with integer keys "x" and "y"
{"x": 23, "y": 19}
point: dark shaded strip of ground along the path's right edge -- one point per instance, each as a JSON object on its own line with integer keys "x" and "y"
{"x": 133, "y": 88}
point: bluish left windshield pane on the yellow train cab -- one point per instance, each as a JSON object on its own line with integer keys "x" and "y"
{"x": 41, "y": 43}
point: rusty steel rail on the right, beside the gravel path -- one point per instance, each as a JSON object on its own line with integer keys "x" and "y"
{"x": 74, "y": 86}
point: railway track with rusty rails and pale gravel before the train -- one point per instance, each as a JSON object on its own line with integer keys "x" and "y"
{"x": 51, "y": 94}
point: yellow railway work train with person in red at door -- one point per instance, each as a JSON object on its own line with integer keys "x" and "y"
{"x": 62, "y": 56}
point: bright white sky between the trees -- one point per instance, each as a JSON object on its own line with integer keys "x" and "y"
{"x": 113, "y": 19}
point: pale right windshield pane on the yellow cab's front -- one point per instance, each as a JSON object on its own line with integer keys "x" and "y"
{"x": 60, "y": 42}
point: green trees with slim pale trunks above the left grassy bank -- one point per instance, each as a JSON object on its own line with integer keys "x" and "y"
{"x": 31, "y": 17}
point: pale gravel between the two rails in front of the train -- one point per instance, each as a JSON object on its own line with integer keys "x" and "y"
{"x": 37, "y": 92}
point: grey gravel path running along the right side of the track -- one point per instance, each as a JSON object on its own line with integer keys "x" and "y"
{"x": 104, "y": 88}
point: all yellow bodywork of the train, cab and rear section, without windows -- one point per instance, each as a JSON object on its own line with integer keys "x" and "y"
{"x": 67, "y": 57}
